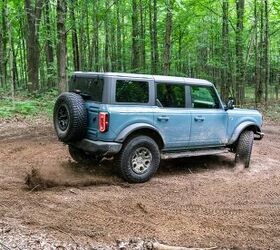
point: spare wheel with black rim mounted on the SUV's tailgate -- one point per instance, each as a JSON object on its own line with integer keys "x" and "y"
{"x": 70, "y": 117}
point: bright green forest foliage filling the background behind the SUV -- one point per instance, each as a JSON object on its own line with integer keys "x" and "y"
{"x": 196, "y": 46}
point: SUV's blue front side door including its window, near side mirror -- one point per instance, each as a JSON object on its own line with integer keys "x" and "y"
{"x": 208, "y": 118}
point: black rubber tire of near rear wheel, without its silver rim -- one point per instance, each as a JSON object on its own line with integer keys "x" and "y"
{"x": 124, "y": 159}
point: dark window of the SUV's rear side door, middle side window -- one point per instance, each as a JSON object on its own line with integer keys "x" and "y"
{"x": 171, "y": 95}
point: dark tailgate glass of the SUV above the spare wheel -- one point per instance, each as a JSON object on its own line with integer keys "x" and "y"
{"x": 90, "y": 87}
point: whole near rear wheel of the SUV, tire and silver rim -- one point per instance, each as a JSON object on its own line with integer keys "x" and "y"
{"x": 139, "y": 159}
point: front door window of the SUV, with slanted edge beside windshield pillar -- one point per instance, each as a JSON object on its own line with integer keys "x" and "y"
{"x": 204, "y": 97}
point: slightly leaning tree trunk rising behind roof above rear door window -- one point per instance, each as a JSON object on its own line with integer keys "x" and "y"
{"x": 167, "y": 39}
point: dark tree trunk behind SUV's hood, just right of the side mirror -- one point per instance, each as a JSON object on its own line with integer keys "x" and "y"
{"x": 239, "y": 51}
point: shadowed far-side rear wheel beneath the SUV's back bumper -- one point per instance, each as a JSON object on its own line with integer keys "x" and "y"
{"x": 82, "y": 157}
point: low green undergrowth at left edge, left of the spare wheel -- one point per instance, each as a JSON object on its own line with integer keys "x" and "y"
{"x": 26, "y": 105}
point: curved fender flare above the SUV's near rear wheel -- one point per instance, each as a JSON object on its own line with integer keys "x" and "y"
{"x": 134, "y": 127}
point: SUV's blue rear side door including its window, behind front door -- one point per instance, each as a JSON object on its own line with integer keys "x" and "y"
{"x": 171, "y": 116}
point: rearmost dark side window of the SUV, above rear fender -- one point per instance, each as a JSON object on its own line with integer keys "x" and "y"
{"x": 132, "y": 91}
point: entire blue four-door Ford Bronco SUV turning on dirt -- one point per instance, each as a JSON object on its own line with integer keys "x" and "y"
{"x": 141, "y": 119}
